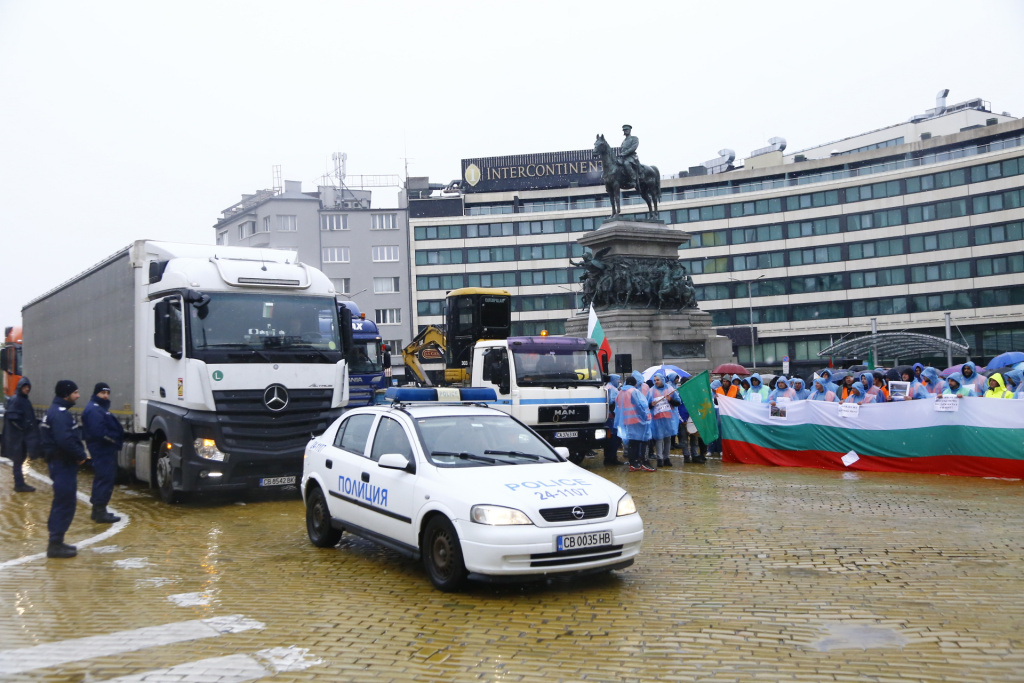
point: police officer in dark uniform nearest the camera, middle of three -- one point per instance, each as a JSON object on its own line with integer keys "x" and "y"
{"x": 61, "y": 439}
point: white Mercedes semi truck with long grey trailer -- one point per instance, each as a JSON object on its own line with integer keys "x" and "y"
{"x": 223, "y": 361}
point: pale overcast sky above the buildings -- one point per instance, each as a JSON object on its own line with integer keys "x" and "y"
{"x": 129, "y": 120}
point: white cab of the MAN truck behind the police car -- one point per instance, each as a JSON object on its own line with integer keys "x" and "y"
{"x": 553, "y": 385}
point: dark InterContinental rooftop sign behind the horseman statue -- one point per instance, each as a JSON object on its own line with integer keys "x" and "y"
{"x": 540, "y": 172}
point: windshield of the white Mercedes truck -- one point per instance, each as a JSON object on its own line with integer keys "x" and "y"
{"x": 262, "y": 328}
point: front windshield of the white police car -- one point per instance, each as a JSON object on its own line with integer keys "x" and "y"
{"x": 481, "y": 442}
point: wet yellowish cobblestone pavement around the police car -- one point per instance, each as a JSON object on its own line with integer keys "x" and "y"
{"x": 747, "y": 574}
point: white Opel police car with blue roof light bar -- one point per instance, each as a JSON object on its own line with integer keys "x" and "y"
{"x": 468, "y": 489}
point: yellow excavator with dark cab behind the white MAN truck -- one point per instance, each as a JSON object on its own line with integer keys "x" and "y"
{"x": 472, "y": 315}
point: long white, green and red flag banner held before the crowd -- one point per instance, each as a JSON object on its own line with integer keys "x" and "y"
{"x": 959, "y": 437}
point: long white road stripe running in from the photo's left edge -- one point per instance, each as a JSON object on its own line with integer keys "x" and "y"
{"x": 66, "y": 652}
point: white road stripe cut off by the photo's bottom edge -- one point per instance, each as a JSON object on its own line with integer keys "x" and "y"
{"x": 232, "y": 669}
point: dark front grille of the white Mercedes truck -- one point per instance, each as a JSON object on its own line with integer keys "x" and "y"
{"x": 247, "y": 424}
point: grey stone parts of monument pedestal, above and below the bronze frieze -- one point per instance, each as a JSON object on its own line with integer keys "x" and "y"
{"x": 677, "y": 336}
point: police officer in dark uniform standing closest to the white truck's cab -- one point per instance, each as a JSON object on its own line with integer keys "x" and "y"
{"x": 104, "y": 438}
